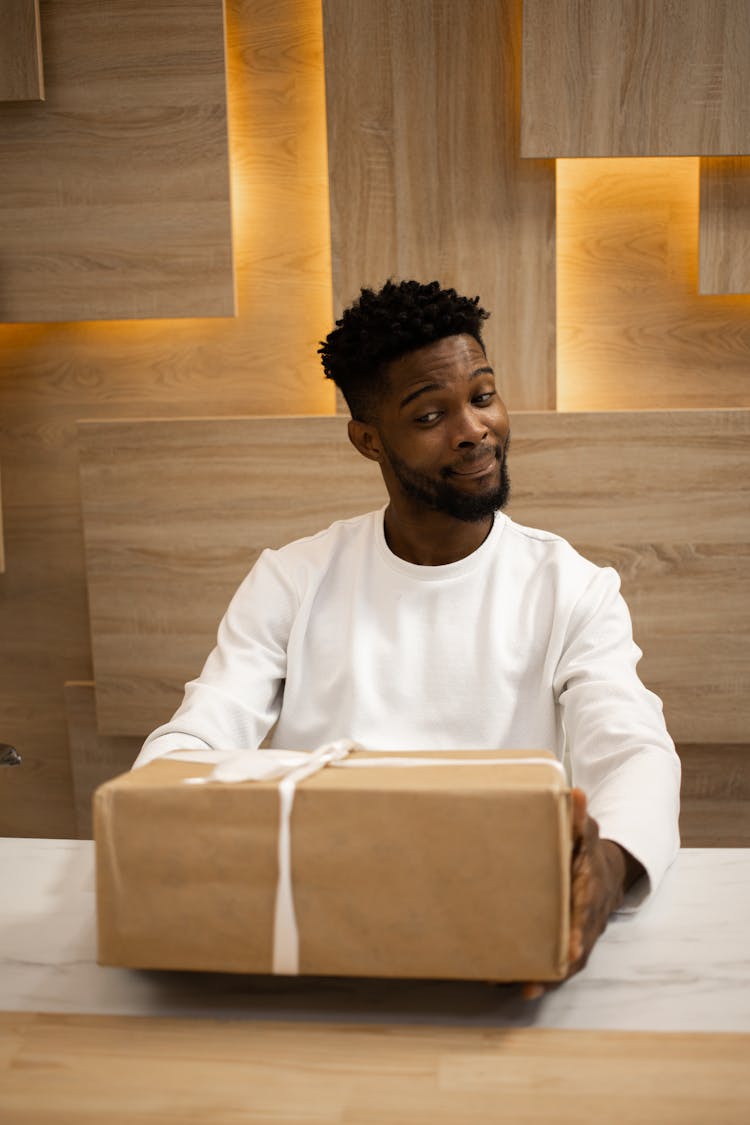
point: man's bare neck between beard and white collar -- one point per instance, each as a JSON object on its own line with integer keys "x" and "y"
{"x": 432, "y": 538}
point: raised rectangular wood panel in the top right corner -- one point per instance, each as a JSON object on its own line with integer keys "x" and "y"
{"x": 632, "y": 78}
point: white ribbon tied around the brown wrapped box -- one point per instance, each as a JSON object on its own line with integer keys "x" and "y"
{"x": 293, "y": 767}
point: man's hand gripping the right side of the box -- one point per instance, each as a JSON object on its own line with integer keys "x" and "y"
{"x": 602, "y": 871}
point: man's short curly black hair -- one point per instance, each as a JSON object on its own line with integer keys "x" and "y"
{"x": 383, "y": 327}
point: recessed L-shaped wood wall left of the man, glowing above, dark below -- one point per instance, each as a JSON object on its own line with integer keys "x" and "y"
{"x": 264, "y": 362}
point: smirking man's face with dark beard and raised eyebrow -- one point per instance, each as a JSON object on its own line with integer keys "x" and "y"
{"x": 445, "y": 431}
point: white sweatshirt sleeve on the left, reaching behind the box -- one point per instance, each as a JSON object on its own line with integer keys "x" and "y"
{"x": 237, "y": 699}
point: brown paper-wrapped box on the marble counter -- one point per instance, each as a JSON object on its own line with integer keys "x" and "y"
{"x": 445, "y": 872}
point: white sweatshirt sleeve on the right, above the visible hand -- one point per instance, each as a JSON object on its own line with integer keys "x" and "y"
{"x": 621, "y": 754}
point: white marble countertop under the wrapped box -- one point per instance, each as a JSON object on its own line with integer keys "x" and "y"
{"x": 681, "y": 964}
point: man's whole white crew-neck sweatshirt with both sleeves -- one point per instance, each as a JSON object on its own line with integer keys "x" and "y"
{"x": 522, "y": 645}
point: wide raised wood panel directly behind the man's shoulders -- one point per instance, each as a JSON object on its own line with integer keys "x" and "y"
{"x": 177, "y": 512}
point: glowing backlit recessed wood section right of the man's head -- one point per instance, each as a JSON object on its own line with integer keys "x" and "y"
{"x": 634, "y": 334}
